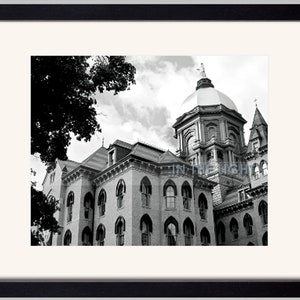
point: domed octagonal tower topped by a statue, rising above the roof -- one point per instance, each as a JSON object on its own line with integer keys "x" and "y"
{"x": 210, "y": 135}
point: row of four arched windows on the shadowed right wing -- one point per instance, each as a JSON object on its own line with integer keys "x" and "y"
{"x": 247, "y": 224}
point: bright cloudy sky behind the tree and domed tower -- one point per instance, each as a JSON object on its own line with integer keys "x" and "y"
{"x": 148, "y": 110}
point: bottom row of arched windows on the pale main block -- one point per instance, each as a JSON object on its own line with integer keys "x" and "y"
{"x": 171, "y": 231}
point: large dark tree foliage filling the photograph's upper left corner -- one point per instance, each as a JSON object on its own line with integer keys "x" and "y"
{"x": 62, "y": 97}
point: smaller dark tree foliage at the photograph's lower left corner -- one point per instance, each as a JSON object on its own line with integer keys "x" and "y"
{"x": 42, "y": 216}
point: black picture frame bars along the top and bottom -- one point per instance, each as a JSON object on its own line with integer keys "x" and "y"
{"x": 144, "y": 288}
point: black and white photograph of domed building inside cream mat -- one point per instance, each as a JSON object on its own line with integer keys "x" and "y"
{"x": 149, "y": 150}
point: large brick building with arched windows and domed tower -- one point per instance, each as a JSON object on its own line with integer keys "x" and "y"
{"x": 213, "y": 191}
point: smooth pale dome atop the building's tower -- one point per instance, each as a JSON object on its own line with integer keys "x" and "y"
{"x": 205, "y": 95}
